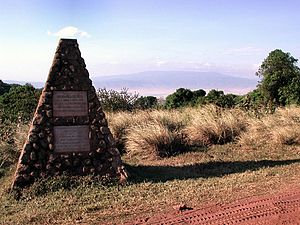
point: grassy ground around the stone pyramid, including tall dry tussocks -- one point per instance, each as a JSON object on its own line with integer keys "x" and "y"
{"x": 195, "y": 156}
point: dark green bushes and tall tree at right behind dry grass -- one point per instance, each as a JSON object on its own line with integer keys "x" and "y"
{"x": 280, "y": 86}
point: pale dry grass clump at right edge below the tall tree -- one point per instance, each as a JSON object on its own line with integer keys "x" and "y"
{"x": 280, "y": 128}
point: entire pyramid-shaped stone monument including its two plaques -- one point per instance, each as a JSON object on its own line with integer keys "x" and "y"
{"x": 69, "y": 132}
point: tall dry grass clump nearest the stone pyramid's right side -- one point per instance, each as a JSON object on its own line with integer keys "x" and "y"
{"x": 153, "y": 133}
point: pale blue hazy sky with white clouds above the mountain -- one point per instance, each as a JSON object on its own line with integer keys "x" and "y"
{"x": 125, "y": 36}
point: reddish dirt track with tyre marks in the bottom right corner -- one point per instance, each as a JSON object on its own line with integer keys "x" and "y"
{"x": 274, "y": 209}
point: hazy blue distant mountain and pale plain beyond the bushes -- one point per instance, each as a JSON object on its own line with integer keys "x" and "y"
{"x": 162, "y": 83}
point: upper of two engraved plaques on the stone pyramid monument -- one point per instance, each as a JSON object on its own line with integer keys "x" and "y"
{"x": 70, "y": 103}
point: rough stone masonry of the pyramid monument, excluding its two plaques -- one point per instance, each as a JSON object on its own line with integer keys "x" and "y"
{"x": 38, "y": 158}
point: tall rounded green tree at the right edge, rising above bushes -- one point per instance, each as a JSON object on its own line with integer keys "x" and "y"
{"x": 280, "y": 84}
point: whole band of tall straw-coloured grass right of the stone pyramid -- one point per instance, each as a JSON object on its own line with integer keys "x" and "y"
{"x": 162, "y": 133}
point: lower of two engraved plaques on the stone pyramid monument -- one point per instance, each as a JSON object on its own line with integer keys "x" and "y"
{"x": 71, "y": 138}
